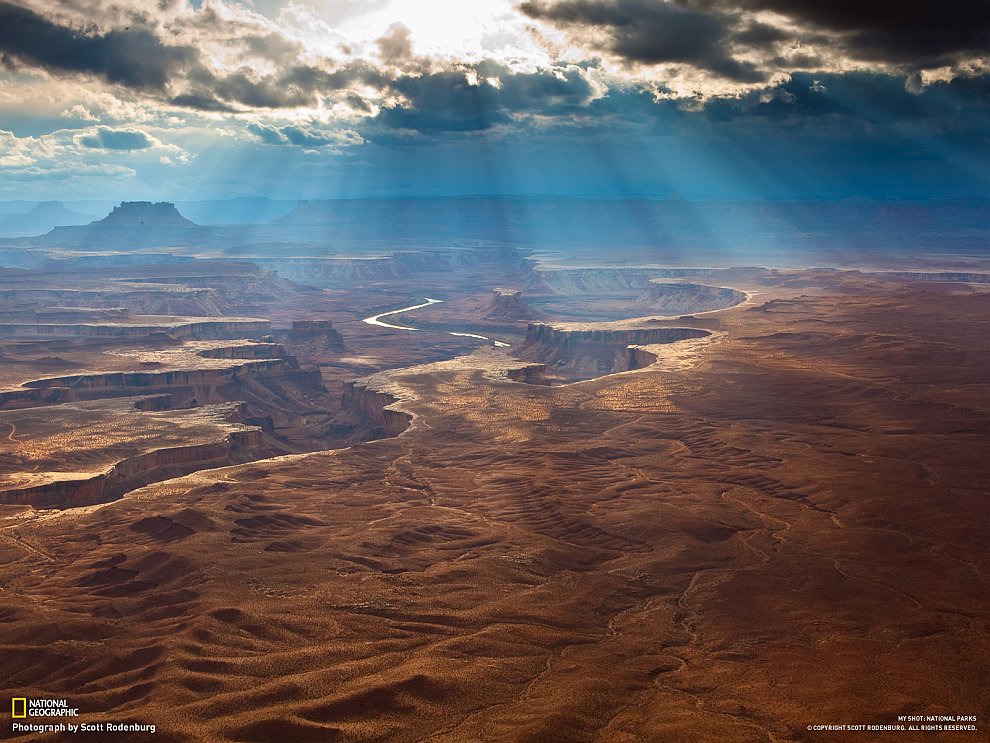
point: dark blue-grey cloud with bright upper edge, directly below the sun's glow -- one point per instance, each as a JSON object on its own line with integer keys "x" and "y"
{"x": 449, "y": 102}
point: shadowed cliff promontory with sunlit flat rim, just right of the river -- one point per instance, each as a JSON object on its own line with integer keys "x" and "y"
{"x": 585, "y": 352}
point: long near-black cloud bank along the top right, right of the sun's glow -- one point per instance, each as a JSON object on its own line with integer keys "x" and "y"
{"x": 706, "y": 33}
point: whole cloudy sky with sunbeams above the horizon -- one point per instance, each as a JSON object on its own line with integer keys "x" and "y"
{"x": 699, "y": 99}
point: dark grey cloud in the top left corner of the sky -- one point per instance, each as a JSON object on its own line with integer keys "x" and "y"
{"x": 133, "y": 57}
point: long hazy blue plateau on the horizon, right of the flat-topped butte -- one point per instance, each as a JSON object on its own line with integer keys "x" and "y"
{"x": 573, "y": 224}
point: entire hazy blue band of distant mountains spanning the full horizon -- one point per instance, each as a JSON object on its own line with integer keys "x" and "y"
{"x": 667, "y": 231}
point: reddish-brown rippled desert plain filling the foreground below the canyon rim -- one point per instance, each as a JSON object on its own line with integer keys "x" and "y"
{"x": 779, "y": 525}
